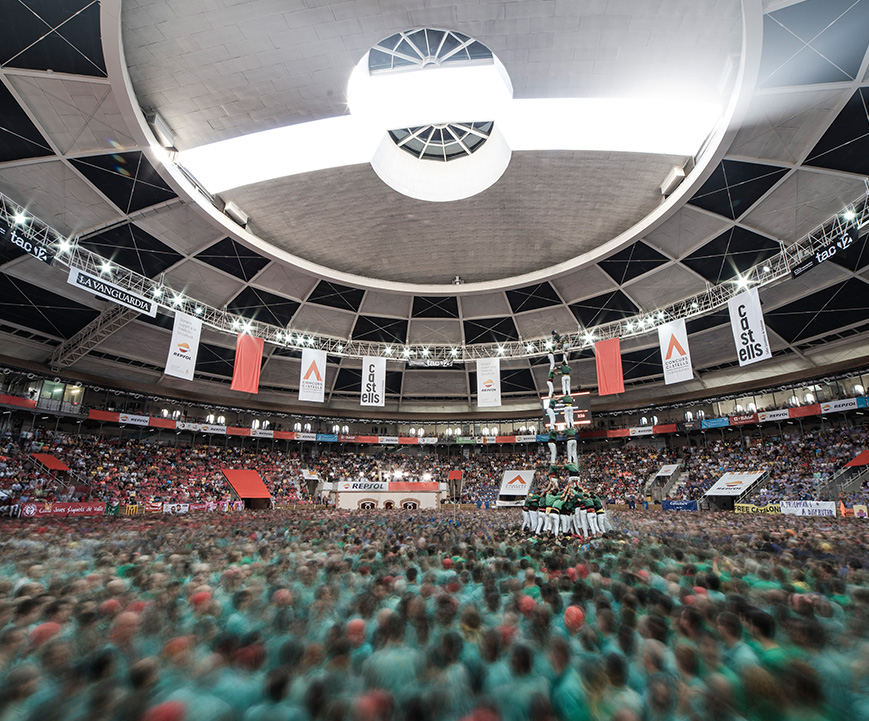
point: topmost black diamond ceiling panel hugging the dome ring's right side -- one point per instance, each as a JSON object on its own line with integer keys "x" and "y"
{"x": 735, "y": 186}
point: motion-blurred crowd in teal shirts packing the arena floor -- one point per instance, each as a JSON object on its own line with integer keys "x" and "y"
{"x": 391, "y": 616}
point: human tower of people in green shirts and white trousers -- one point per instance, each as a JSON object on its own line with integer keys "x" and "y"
{"x": 567, "y": 508}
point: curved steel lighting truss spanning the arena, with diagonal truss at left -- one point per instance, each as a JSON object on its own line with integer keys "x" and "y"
{"x": 70, "y": 254}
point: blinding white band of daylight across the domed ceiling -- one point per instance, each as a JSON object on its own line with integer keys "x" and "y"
{"x": 641, "y": 125}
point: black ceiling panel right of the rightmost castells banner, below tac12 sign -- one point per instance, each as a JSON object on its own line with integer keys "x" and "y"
{"x": 824, "y": 311}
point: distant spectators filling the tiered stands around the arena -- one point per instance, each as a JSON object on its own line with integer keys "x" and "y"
{"x": 128, "y": 470}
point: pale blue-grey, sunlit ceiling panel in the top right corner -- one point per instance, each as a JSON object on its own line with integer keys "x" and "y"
{"x": 816, "y": 41}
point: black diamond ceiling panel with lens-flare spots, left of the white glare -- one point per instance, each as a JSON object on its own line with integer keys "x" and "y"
{"x": 127, "y": 179}
